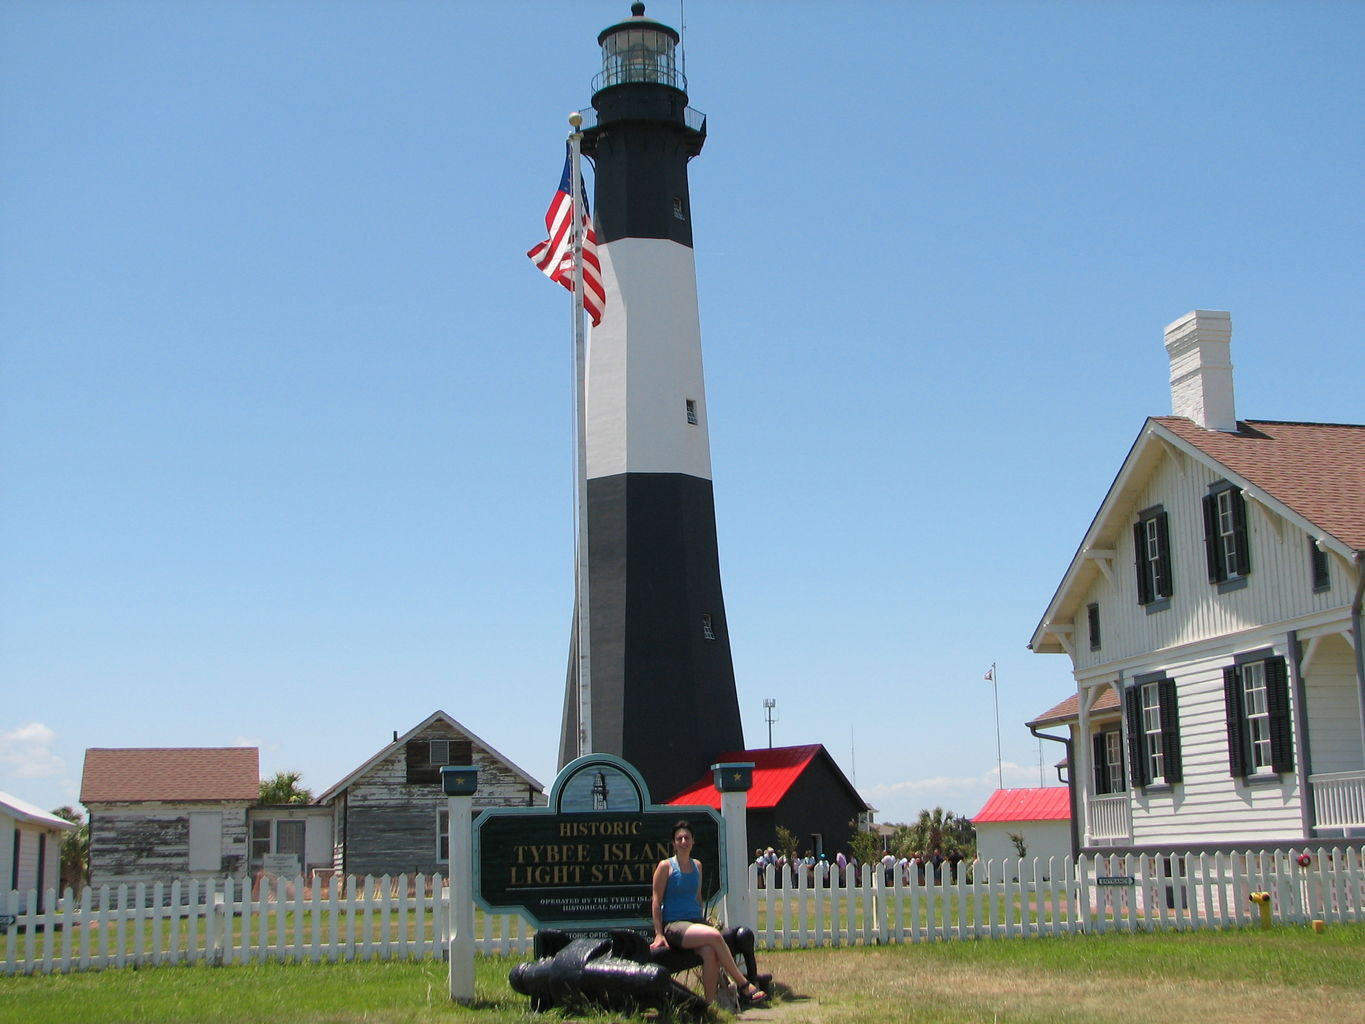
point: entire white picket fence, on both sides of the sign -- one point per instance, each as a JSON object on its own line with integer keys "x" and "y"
{"x": 406, "y": 918}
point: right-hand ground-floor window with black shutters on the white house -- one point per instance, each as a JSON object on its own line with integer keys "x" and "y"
{"x": 1261, "y": 733}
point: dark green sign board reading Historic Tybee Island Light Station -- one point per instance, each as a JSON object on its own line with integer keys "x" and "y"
{"x": 588, "y": 859}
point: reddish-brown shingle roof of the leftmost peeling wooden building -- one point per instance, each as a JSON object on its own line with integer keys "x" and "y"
{"x": 134, "y": 775}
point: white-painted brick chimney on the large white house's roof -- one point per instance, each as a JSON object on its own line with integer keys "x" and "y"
{"x": 1199, "y": 346}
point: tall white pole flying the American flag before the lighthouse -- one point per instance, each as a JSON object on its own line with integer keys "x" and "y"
{"x": 581, "y": 485}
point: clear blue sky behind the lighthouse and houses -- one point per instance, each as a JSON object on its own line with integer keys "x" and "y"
{"x": 285, "y": 410}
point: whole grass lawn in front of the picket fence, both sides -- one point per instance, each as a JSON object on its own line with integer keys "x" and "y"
{"x": 1166, "y": 978}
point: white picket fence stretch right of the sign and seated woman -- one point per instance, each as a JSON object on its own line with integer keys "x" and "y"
{"x": 1015, "y": 899}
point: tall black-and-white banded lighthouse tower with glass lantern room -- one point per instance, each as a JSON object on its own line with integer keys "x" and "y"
{"x": 663, "y": 681}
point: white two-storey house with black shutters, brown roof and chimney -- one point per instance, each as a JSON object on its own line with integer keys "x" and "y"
{"x": 1213, "y": 618}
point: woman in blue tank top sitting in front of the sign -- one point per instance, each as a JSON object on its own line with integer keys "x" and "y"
{"x": 679, "y": 924}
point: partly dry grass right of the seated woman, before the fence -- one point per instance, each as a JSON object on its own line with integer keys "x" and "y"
{"x": 1203, "y": 980}
